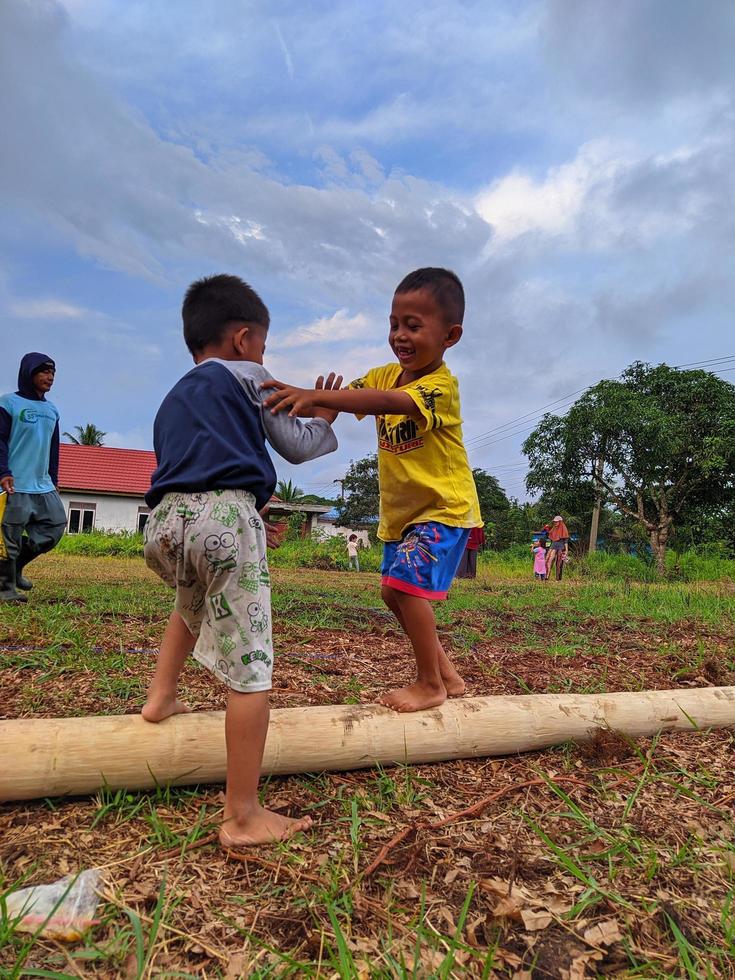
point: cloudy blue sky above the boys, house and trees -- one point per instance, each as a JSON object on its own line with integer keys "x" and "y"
{"x": 572, "y": 160}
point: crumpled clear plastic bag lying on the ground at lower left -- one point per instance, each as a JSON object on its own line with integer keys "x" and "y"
{"x": 63, "y": 910}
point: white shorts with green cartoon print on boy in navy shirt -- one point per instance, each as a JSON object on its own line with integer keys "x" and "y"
{"x": 210, "y": 547}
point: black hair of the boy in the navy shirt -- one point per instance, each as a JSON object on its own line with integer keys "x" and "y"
{"x": 214, "y": 302}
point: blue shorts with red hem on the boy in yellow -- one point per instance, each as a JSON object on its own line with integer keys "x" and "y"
{"x": 425, "y": 561}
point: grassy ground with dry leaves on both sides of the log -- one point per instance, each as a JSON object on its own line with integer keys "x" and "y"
{"x": 612, "y": 859}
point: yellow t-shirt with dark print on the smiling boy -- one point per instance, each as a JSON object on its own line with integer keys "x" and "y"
{"x": 423, "y": 468}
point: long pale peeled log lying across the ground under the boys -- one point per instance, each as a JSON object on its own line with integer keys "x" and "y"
{"x": 74, "y": 756}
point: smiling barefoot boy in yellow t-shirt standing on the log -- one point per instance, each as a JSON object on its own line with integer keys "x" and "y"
{"x": 428, "y": 500}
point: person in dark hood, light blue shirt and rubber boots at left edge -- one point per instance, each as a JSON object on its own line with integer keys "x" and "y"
{"x": 34, "y": 518}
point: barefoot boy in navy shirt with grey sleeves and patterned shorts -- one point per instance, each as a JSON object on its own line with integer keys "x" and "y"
{"x": 206, "y": 538}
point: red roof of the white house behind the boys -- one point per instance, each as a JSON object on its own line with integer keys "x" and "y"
{"x": 106, "y": 470}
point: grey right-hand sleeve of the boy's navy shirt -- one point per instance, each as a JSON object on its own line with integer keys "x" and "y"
{"x": 297, "y": 440}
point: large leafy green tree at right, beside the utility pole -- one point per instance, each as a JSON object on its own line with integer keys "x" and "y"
{"x": 665, "y": 439}
